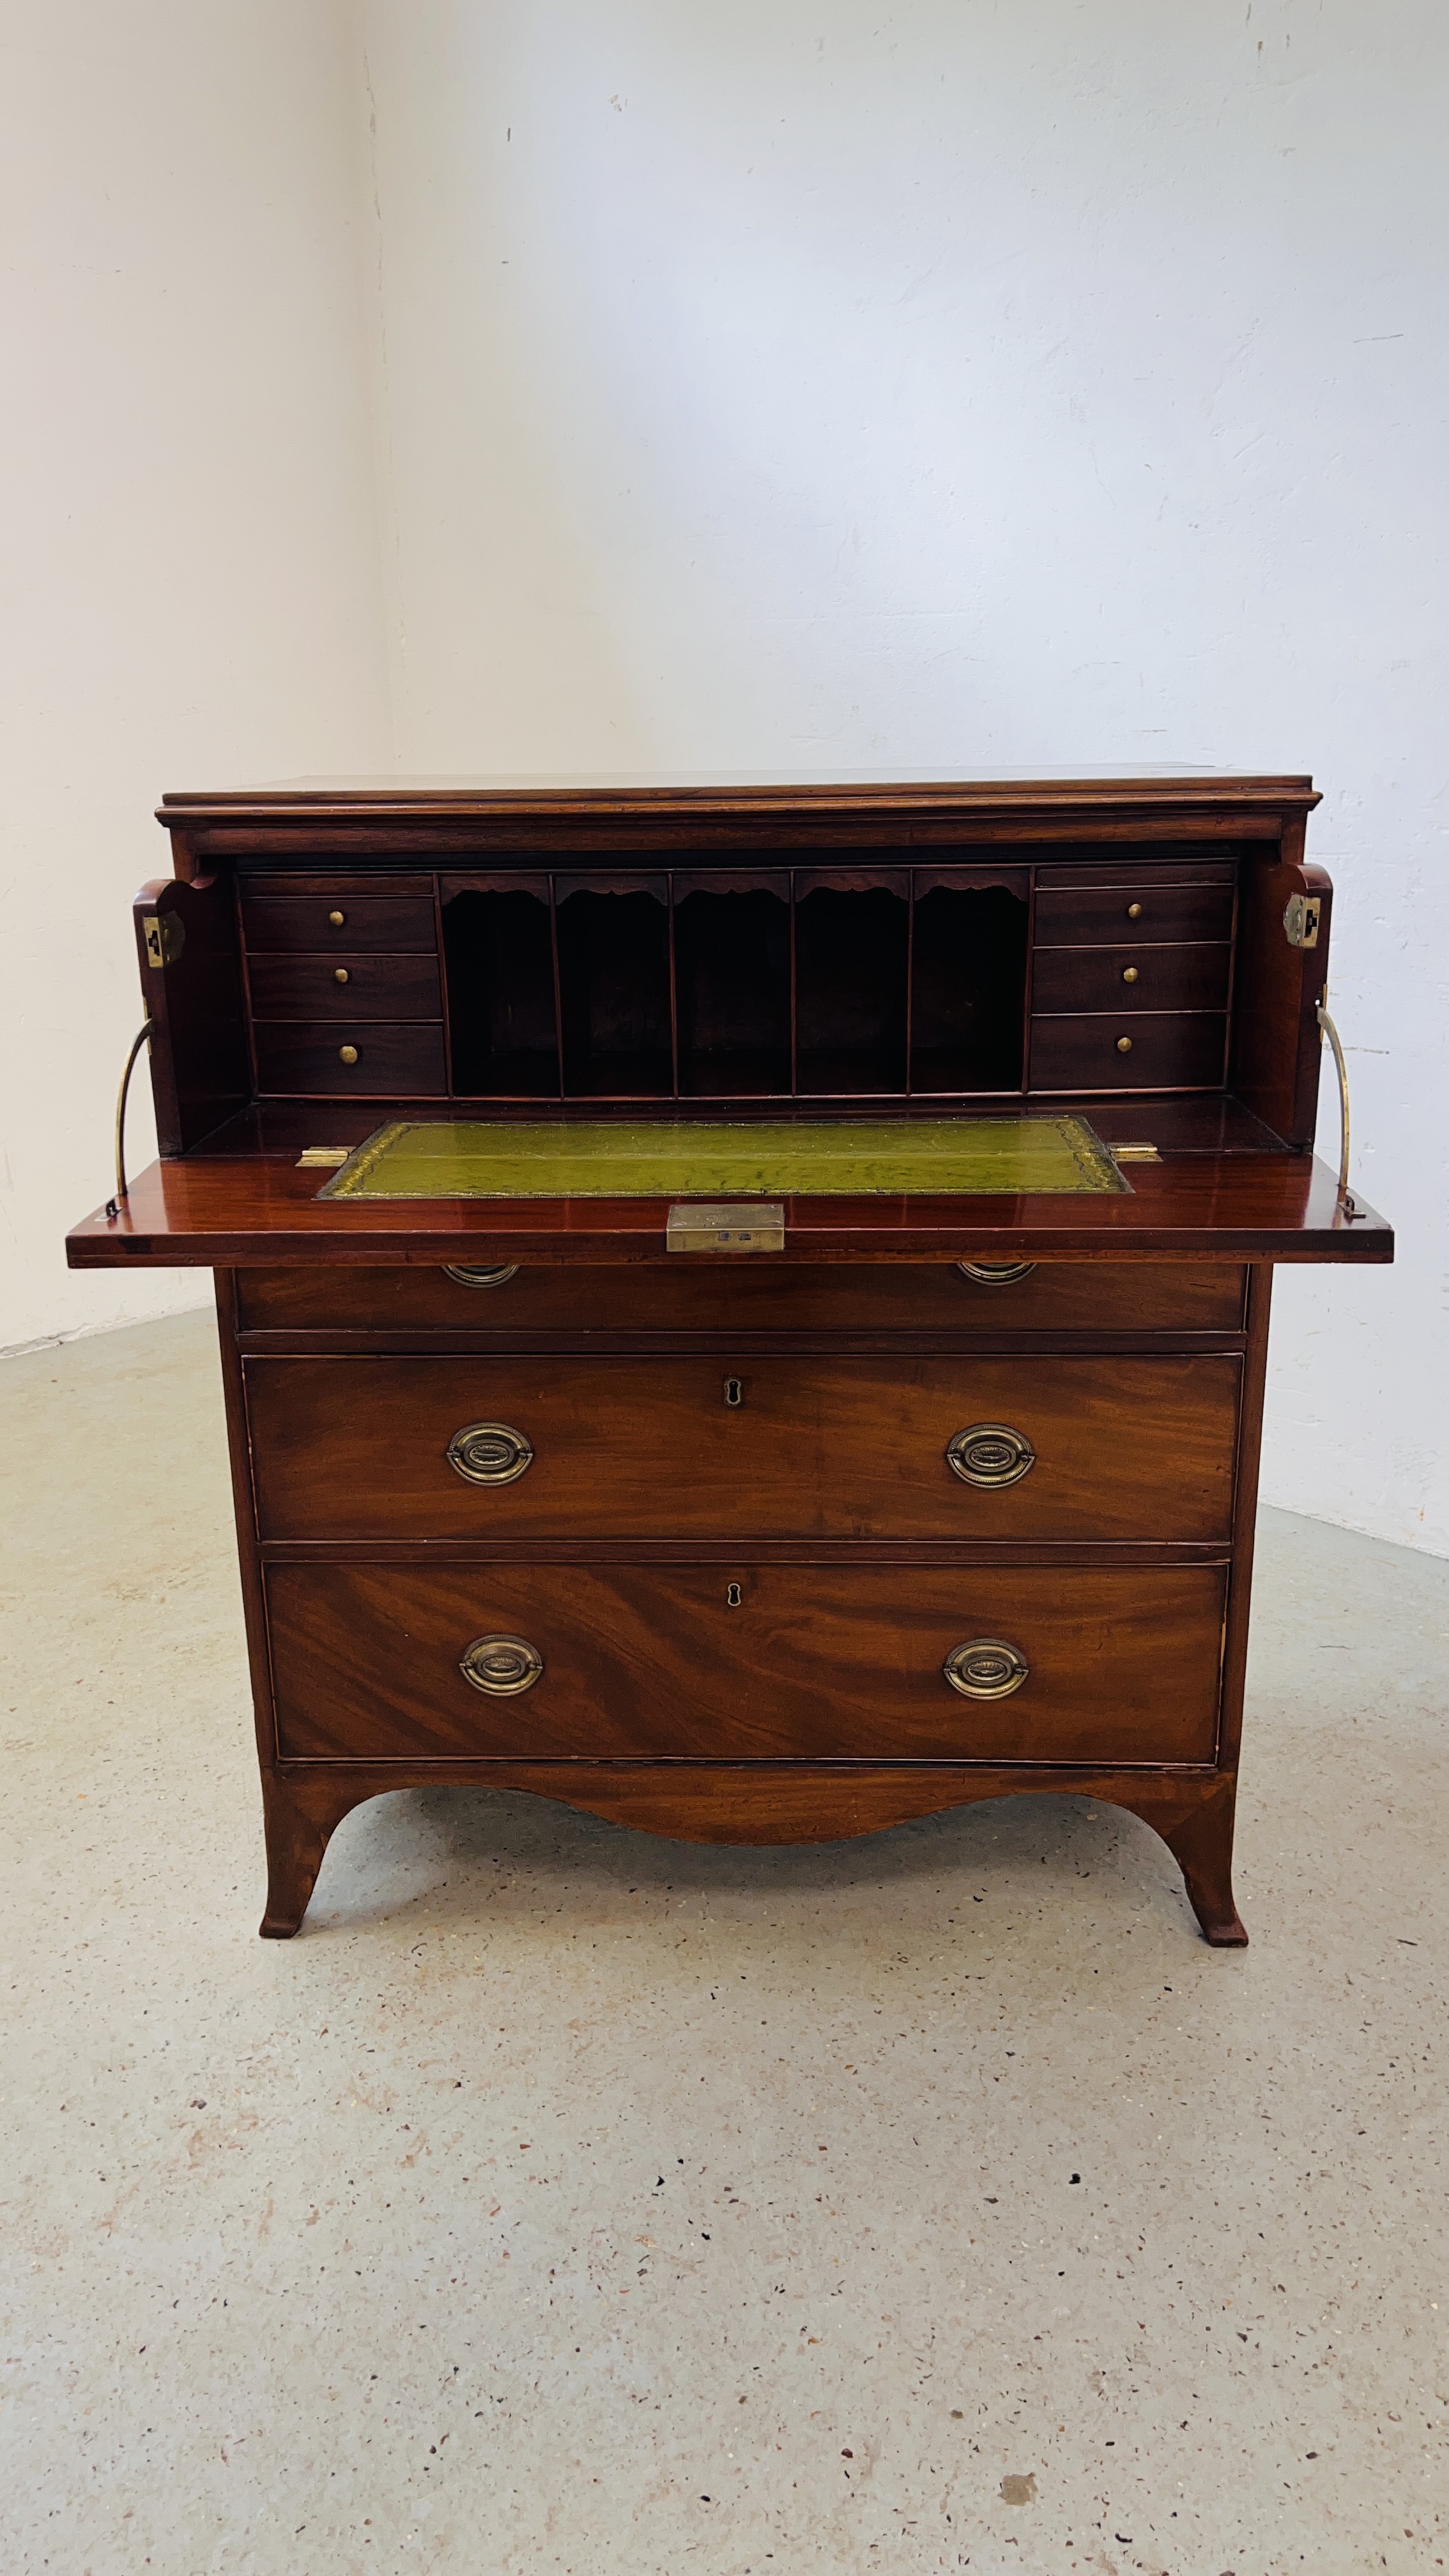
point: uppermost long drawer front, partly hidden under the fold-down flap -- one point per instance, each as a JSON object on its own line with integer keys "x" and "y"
{"x": 715, "y": 1297}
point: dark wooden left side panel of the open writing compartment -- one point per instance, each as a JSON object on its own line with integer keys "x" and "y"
{"x": 197, "y": 1009}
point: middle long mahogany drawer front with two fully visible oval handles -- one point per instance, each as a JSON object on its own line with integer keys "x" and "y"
{"x": 808, "y": 1449}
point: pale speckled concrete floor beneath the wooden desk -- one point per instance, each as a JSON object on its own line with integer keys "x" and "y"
{"x": 569, "y": 2201}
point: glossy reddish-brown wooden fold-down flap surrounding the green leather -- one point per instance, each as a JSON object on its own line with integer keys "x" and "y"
{"x": 259, "y": 1209}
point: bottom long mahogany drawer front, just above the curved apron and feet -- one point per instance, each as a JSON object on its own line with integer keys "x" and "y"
{"x": 808, "y": 1665}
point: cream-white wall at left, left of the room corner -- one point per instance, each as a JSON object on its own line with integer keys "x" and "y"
{"x": 190, "y": 578}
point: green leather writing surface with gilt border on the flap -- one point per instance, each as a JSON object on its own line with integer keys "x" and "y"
{"x": 744, "y": 1158}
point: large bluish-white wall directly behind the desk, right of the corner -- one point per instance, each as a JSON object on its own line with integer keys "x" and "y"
{"x": 963, "y": 385}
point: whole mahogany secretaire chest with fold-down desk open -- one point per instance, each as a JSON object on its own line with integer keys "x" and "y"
{"x": 950, "y": 1495}
